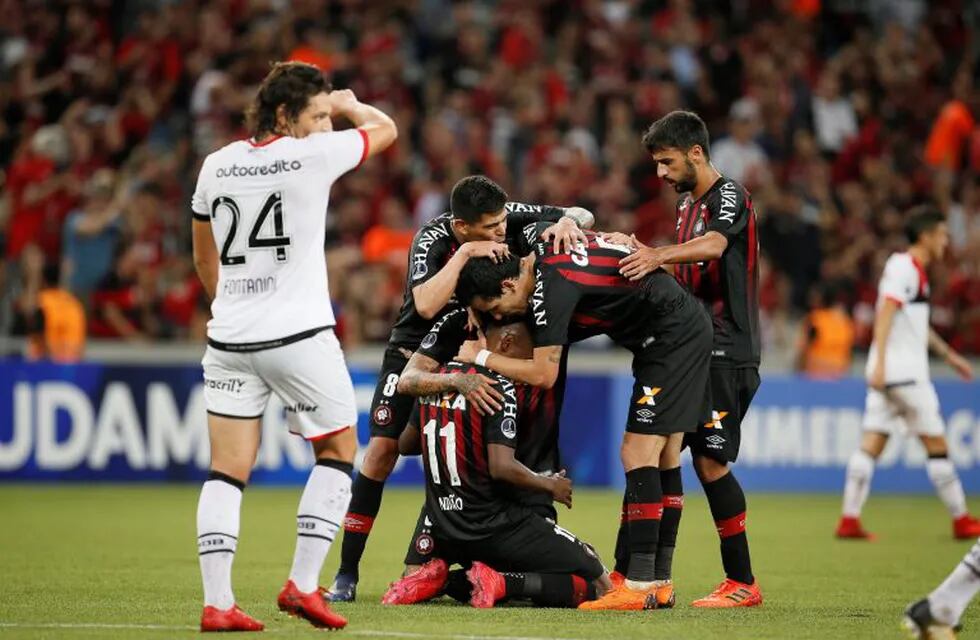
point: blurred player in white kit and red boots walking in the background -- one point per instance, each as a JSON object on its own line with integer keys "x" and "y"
{"x": 901, "y": 398}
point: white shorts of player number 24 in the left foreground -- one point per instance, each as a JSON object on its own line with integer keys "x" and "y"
{"x": 310, "y": 377}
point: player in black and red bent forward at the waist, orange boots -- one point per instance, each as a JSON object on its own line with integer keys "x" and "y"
{"x": 667, "y": 330}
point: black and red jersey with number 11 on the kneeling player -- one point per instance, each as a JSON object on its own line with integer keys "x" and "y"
{"x": 463, "y": 500}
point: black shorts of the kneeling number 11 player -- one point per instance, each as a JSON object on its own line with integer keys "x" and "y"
{"x": 533, "y": 544}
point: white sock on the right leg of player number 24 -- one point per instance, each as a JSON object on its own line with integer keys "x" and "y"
{"x": 321, "y": 513}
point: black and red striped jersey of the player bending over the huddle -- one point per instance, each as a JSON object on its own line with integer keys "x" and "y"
{"x": 580, "y": 294}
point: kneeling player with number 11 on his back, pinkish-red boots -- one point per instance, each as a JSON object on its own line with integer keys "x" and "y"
{"x": 471, "y": 473}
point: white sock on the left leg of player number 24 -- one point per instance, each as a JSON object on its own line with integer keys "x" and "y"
{"x": 218, "y": 512}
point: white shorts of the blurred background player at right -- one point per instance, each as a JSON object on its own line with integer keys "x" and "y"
{"x": 905, "y": 409}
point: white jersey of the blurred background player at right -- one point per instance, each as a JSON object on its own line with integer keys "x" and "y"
{"x": 907, "y": 350}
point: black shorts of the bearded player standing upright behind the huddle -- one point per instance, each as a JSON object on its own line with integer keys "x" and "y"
{"x": 732, "y": 391}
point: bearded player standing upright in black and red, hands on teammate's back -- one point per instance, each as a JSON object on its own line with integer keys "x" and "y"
{"x": 716, "y": 258}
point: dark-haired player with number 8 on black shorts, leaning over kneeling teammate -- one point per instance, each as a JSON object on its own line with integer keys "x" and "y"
{"x": 481, "y": 224}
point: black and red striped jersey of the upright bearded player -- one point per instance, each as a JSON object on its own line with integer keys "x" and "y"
{"x": 728, "y": 286}
